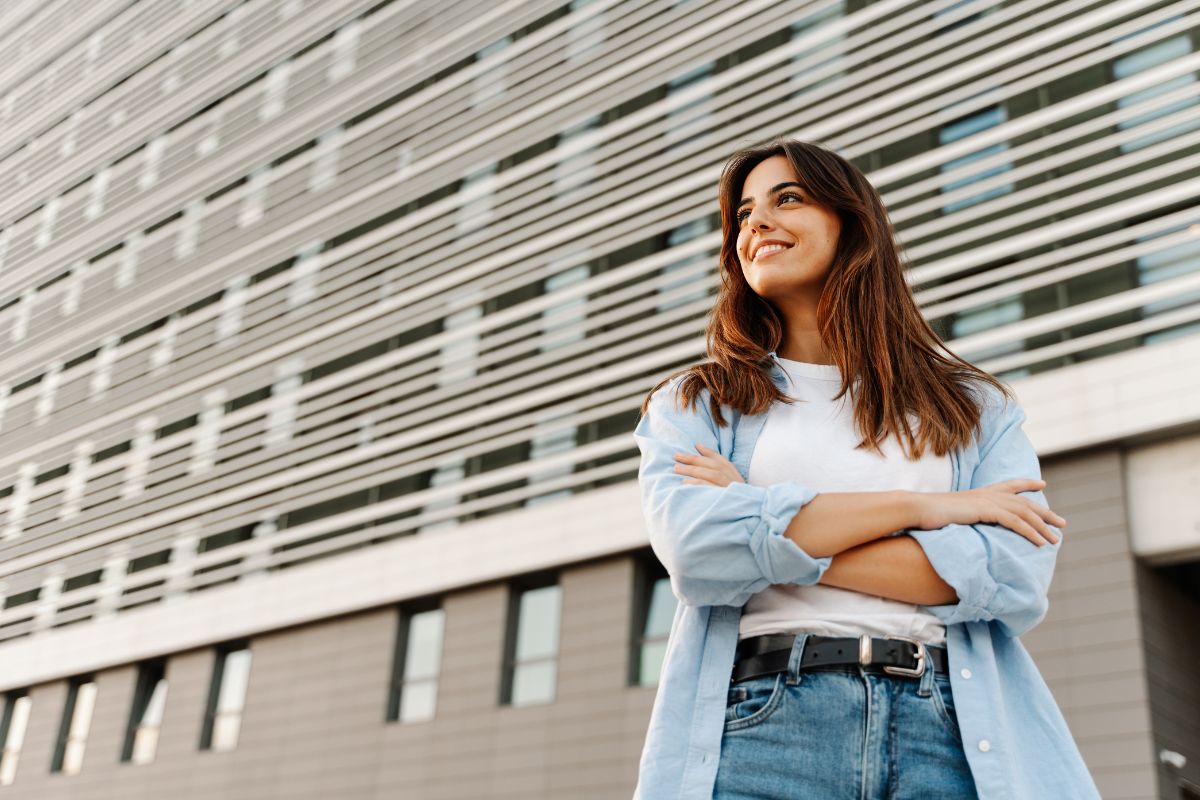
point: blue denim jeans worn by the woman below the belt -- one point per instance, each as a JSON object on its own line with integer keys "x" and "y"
{"x": 842, "y": 733}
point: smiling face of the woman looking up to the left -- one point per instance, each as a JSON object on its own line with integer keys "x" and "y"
{"x": 787, "y": 242}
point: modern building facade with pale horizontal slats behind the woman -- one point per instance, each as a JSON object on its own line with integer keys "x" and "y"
{"x": 325, "y": 326}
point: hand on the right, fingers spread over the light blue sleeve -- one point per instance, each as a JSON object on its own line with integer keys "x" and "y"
{"x": 998, "y": 503}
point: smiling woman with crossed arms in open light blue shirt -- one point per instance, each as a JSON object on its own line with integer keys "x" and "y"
{"x": 854, "y": 522}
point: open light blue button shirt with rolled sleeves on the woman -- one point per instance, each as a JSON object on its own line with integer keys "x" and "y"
{"x": 722, "y": 545}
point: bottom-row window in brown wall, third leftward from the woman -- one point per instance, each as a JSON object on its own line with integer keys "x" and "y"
{"x": 415, "y": 687}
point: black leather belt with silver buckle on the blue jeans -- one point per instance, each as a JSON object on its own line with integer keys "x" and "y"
{"x": 899, "y": 655}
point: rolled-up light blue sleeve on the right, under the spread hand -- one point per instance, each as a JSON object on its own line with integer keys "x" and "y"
{"x": 998, "y": 574}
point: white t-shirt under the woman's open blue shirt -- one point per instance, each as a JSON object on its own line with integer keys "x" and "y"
{"x": 812, "y": 442}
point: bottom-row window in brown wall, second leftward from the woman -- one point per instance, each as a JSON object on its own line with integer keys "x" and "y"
{"x": 532, "y": 646}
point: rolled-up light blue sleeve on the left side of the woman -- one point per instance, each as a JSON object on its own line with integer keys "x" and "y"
{"x": 721, "y": 545}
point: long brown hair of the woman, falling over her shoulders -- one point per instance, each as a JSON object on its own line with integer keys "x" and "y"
{"x": 891, "y": 360}
